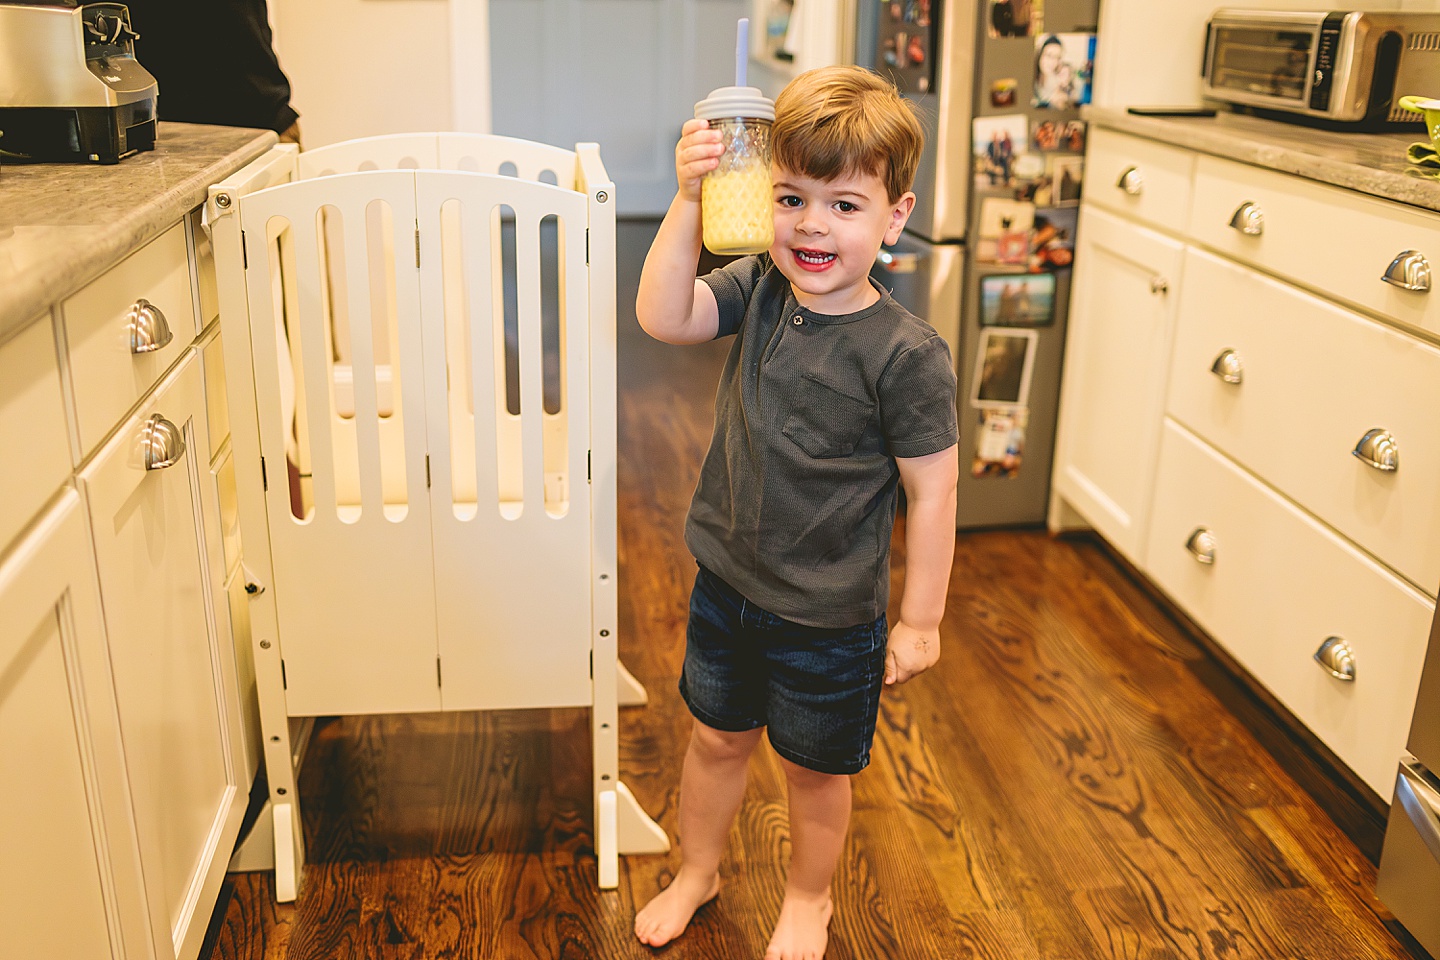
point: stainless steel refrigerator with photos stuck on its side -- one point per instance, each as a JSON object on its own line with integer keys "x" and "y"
{"x": 987, "y": 254}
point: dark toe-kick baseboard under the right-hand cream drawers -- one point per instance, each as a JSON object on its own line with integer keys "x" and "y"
{"x": 1349, "y": 801}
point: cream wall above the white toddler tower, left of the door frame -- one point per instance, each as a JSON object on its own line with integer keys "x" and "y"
{"x": 359, "y": 68}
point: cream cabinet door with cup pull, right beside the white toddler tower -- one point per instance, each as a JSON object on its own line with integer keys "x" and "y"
{"x": 175, "y": 679}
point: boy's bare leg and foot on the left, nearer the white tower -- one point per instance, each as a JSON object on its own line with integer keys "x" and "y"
{"x": 711, "y": 791}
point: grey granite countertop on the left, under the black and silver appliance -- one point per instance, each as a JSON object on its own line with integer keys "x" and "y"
{"x": 64, "y": 225}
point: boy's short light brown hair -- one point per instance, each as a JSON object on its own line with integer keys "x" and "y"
{"x": 840, "y": 122}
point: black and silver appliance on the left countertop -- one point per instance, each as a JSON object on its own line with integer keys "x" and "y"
{"x": 71, "y": 89}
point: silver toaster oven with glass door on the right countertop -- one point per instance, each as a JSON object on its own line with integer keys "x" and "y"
{"x": 1344, "y": 67}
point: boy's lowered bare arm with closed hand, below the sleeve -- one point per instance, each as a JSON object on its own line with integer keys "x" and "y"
{"x": 930, "y": 540}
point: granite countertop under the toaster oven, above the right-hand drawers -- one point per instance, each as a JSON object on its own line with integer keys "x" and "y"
{"x": 1366, "y": 163}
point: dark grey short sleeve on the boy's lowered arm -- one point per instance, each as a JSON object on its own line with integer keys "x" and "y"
{"x": 918, "y": 401}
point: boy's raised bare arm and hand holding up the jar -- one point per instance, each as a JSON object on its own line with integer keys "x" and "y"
{"x": 672, "y": 304}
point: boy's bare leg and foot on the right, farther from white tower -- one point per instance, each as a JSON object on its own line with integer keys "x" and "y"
{"x": 820, "y": 814}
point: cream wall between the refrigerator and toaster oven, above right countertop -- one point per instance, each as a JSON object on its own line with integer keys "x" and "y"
{"x": 1150, "y": 51}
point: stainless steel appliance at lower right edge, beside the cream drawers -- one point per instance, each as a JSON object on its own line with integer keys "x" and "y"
{"x": 1410, "y": 861}
